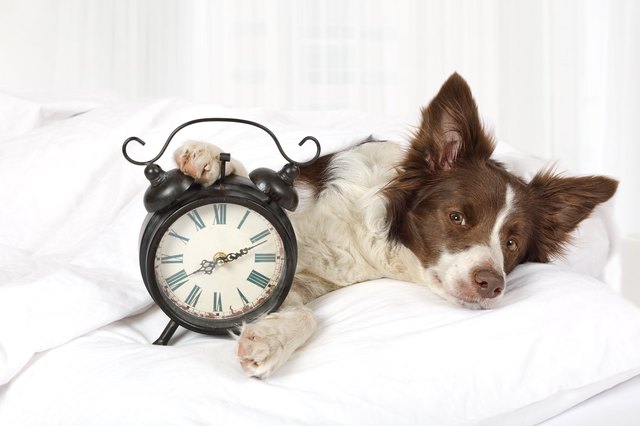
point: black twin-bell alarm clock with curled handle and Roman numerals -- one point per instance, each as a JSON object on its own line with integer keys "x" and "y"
{"x": 219, "y": 256}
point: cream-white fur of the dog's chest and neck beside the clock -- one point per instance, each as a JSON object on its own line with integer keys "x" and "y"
{"x": 342, "y": 231}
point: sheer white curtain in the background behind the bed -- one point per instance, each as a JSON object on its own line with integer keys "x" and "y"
{"x": 555, "y": 78}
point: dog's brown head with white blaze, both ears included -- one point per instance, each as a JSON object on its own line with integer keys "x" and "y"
{"x": 467, "y": 219}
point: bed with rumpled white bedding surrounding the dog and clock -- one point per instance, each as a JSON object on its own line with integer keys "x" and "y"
{"x": 76, "y": 323}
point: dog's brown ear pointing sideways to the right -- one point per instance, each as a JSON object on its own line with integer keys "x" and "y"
{"x": 558, "y": 205}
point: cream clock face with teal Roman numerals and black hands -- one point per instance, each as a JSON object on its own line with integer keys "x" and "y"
{"x": 219, "y": 261}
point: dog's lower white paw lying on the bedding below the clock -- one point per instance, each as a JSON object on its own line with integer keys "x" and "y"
{"x": 267, "y": 344}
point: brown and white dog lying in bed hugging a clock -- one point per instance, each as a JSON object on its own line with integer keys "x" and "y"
{"x": 439, "y": 213}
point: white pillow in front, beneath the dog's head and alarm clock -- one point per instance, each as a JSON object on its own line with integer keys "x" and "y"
{"x": 387, "y": 352}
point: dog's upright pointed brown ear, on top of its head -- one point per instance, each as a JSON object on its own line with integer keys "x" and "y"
{"x": 451, "y": 129}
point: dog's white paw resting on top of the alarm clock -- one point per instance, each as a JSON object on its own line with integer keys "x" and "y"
{"x": 200, "y": 160}
